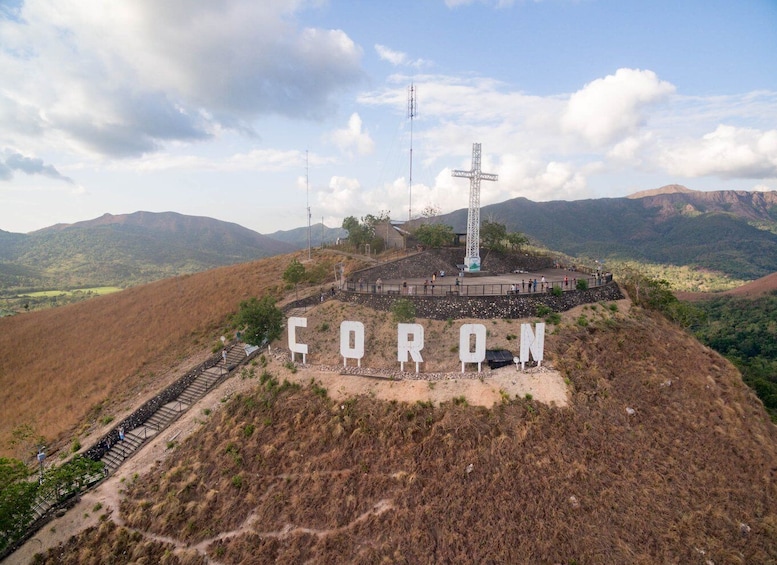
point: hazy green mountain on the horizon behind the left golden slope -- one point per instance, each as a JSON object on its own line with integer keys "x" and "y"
{"x": 127, "y": 249}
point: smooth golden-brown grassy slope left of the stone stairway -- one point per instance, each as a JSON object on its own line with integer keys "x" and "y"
{"x": 64, "y": 368}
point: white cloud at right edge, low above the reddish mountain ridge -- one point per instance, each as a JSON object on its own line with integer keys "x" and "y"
{"x": 727, "y": 152}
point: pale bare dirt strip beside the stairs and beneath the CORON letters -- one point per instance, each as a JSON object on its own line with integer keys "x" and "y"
{"x": 543, "y": 384}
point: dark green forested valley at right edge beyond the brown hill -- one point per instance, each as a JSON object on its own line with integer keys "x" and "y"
{"x": 744, "y": 330}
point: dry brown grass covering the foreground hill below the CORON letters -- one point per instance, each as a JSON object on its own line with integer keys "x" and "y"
{"x": 364, "y": 481}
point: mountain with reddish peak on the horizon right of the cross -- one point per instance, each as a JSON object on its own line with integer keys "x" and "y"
{"x": 733, "y": 232}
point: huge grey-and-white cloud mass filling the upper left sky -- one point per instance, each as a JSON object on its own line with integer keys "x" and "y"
{"x": 127, "y": 77}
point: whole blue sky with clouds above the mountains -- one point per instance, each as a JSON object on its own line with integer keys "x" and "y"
{"x": 254, "y": 111}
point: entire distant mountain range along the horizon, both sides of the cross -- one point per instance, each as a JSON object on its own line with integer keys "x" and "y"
{"x": 731, "y": 232}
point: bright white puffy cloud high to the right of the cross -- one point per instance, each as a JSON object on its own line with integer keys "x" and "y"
{"x": 609, "y": 108}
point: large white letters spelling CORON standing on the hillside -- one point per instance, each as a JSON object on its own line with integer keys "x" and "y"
{"x": 410, "y": 343}
